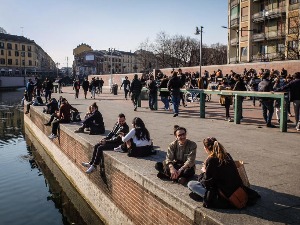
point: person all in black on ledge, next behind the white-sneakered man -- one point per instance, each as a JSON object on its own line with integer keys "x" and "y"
{"x": 94, "y": 122}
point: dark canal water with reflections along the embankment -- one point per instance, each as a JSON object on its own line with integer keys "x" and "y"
{"x": 31, "y": 193}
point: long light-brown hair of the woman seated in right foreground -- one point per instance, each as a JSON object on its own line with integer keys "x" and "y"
{"x": 216, "y": 149}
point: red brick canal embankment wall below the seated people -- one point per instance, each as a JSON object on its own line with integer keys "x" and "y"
{"x": 134, "y": 200}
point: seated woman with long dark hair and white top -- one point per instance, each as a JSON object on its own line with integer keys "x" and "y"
{"x": 137, "y": 142}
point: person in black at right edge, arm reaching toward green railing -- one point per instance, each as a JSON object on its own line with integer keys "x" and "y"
{"x": 294, "y": 90}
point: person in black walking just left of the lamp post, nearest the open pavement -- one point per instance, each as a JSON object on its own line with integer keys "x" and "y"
{"x": 174, "y": 86}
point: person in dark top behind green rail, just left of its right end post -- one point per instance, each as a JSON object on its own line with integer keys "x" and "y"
{"x": 267, "y": 103}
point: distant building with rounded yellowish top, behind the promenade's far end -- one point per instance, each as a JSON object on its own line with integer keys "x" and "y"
{"x": 88, "y": 61}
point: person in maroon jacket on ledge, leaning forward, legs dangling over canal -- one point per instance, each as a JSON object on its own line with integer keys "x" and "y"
{"x": 63, "y": 116}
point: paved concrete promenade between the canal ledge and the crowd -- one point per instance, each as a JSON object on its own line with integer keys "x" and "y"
{"x": 272, "y": 158}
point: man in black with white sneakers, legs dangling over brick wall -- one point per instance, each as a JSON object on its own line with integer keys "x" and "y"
{"x": 112, "y": 140}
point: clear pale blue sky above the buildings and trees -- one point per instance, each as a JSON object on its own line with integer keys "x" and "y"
{"x": 59, "y": 26}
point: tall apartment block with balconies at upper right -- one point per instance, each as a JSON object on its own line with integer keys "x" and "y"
{"x": 263, "y": 30}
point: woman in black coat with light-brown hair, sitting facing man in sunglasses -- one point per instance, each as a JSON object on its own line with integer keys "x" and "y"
{"x": 219, "y": 174}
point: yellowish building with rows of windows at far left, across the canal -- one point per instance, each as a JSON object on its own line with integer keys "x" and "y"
{"x": 20, "y": 56}
